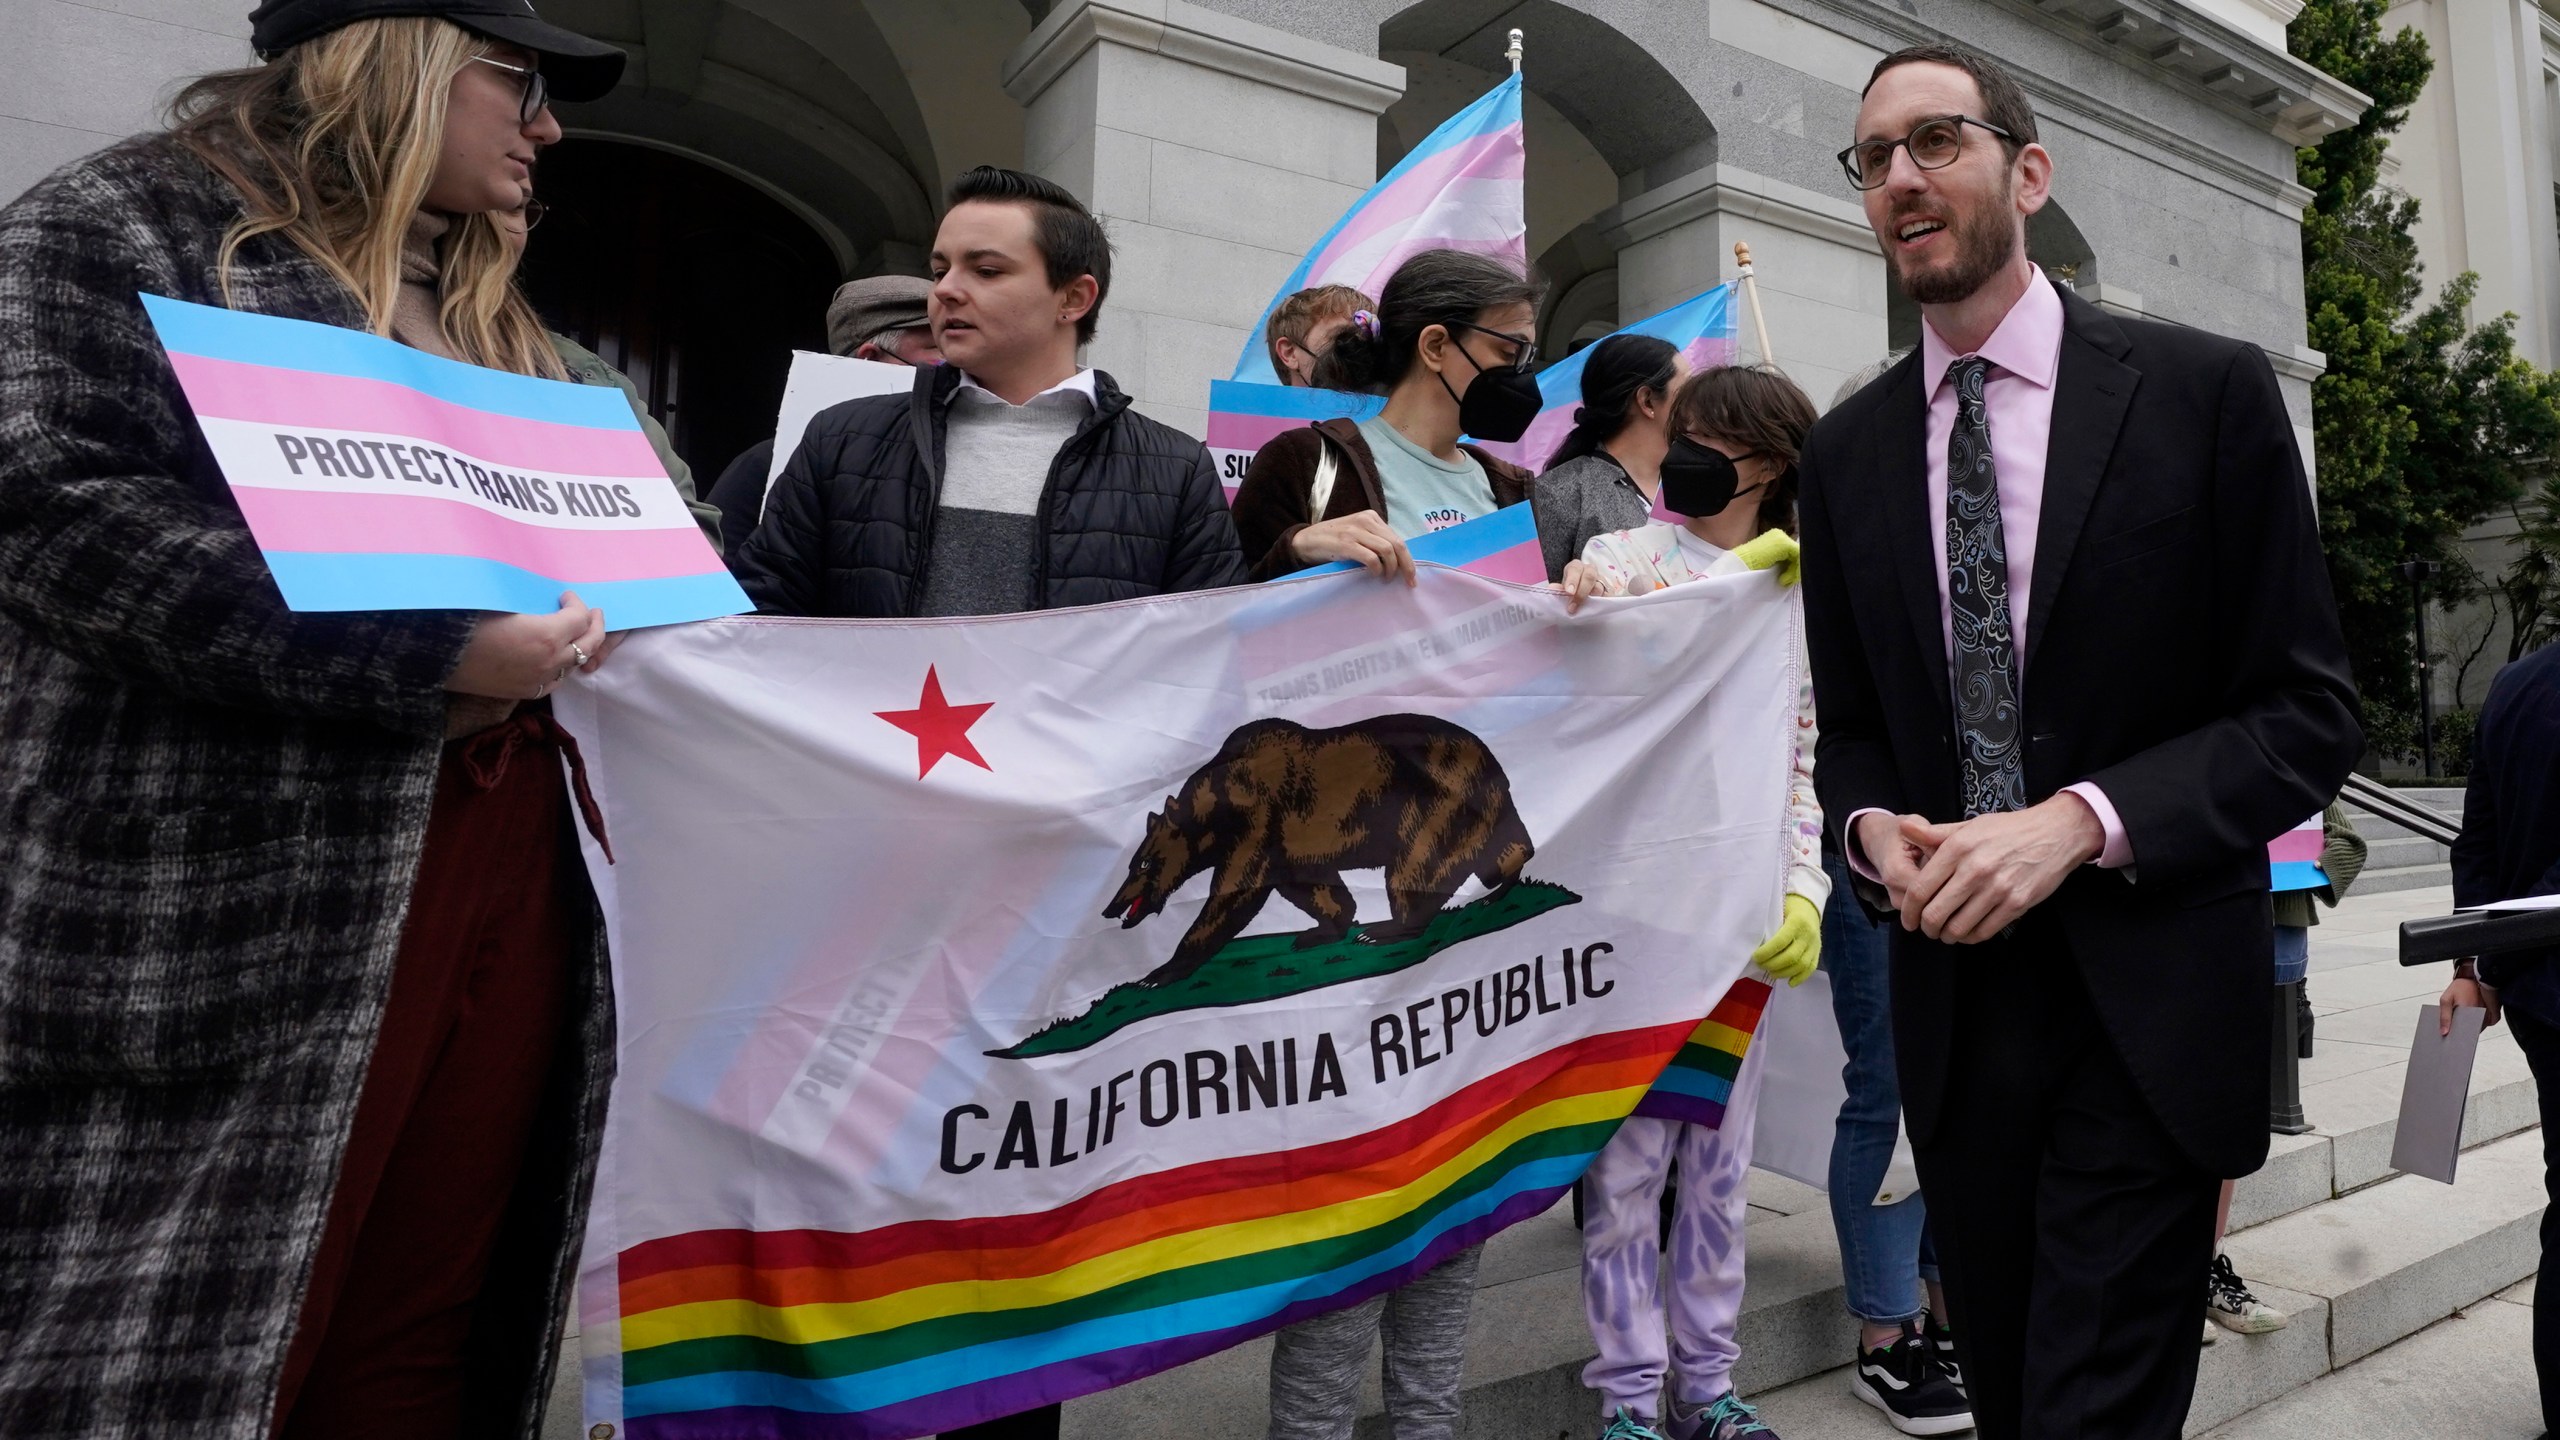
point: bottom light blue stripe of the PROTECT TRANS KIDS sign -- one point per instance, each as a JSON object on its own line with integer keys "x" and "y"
{"x": 314, "y": 580}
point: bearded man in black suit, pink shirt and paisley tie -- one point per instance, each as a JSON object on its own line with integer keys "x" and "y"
{"x": 2077, "y": 665}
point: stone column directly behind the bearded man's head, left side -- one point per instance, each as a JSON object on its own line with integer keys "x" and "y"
{"x": 1821, "y": 275}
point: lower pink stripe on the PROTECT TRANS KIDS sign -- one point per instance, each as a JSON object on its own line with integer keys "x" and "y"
{"x": 436, "y": 527}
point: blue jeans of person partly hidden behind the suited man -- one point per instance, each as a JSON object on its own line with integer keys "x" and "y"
{"x": 1885, "y": 1249}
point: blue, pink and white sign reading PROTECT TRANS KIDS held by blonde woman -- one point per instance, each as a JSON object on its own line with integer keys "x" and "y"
{"x": 383, "y": 478}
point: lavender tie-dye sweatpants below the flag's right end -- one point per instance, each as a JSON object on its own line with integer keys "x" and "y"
{"x": 1640, "y": 1331}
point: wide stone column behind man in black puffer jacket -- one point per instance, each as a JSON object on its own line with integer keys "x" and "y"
{"x": 1215, "y": 150}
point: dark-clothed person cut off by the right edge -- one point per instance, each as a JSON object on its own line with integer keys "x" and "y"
{"x": 2510, "y": 847}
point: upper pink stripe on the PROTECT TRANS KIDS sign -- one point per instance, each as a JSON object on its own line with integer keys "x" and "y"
{"x": 298, "y": 398}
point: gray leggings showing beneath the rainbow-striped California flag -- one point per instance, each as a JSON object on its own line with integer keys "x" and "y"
{"x": 1320, "y": 1362}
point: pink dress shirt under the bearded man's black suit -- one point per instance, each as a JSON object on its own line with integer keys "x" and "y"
{"x": 2019, "y": 396}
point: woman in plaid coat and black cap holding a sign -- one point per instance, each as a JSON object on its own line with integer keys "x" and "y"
{"x": 303, "y": 1016}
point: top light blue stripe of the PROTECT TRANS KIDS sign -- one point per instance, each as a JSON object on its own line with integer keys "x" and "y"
{"x": 334, "y": 350}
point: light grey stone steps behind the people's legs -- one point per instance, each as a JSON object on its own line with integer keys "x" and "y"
{"x": 2326, "y": 1231}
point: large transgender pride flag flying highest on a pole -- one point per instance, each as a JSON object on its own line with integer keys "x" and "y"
{"x": 1458, "y": 191}
